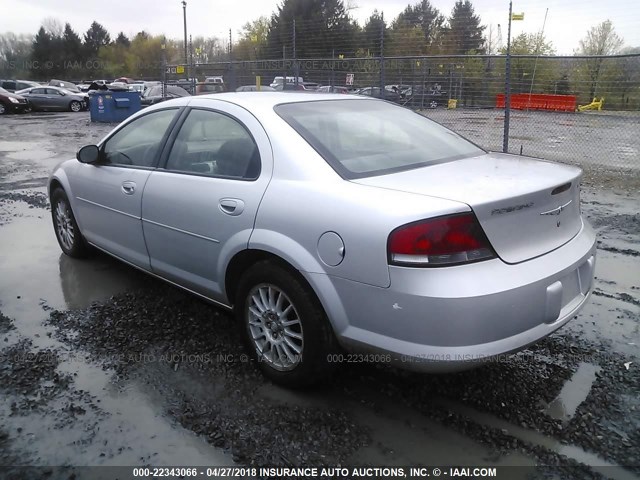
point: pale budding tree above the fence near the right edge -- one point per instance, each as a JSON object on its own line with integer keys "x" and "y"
{"x": 600, "y": 40}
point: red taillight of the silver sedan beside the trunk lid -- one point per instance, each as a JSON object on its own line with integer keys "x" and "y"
{"x": 449, "y": 240}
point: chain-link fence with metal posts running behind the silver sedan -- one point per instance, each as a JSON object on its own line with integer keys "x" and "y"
{"x": 576, "y": 109}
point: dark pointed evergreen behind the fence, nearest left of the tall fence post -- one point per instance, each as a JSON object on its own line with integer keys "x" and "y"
{"x": 464, "y": 32}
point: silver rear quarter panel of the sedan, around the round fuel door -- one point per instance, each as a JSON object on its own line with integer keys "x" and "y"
{"x": 307, "y": 198}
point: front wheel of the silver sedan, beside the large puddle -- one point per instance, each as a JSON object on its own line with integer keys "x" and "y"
{"x": 71, "y": 241}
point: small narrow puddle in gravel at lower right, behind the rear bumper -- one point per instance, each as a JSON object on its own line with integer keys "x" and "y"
{"x": 573, "y": 393}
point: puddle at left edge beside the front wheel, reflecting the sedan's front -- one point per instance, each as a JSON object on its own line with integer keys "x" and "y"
{"x": 35, "y": 272}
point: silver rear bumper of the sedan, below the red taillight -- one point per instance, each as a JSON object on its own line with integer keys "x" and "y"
{"x": 446, "y": 319}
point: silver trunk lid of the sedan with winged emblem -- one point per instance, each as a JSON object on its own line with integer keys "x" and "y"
{"x": 527, "y": 207}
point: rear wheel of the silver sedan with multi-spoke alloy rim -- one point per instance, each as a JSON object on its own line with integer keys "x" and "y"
{"x": 284, "y": 325}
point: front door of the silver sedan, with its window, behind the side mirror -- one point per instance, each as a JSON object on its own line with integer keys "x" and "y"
{"x": 109, "y": 193}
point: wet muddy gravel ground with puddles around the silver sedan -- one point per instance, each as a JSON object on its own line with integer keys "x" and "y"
{"x": 102, "y": 365}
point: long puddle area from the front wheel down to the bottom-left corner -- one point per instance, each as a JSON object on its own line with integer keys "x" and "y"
{"x": 123, "y": 425}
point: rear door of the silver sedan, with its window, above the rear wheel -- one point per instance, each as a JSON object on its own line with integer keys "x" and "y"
{"x": 199, "y": 210}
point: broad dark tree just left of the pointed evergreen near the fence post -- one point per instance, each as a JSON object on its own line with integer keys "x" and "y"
{"x": 421, "y": 15}
